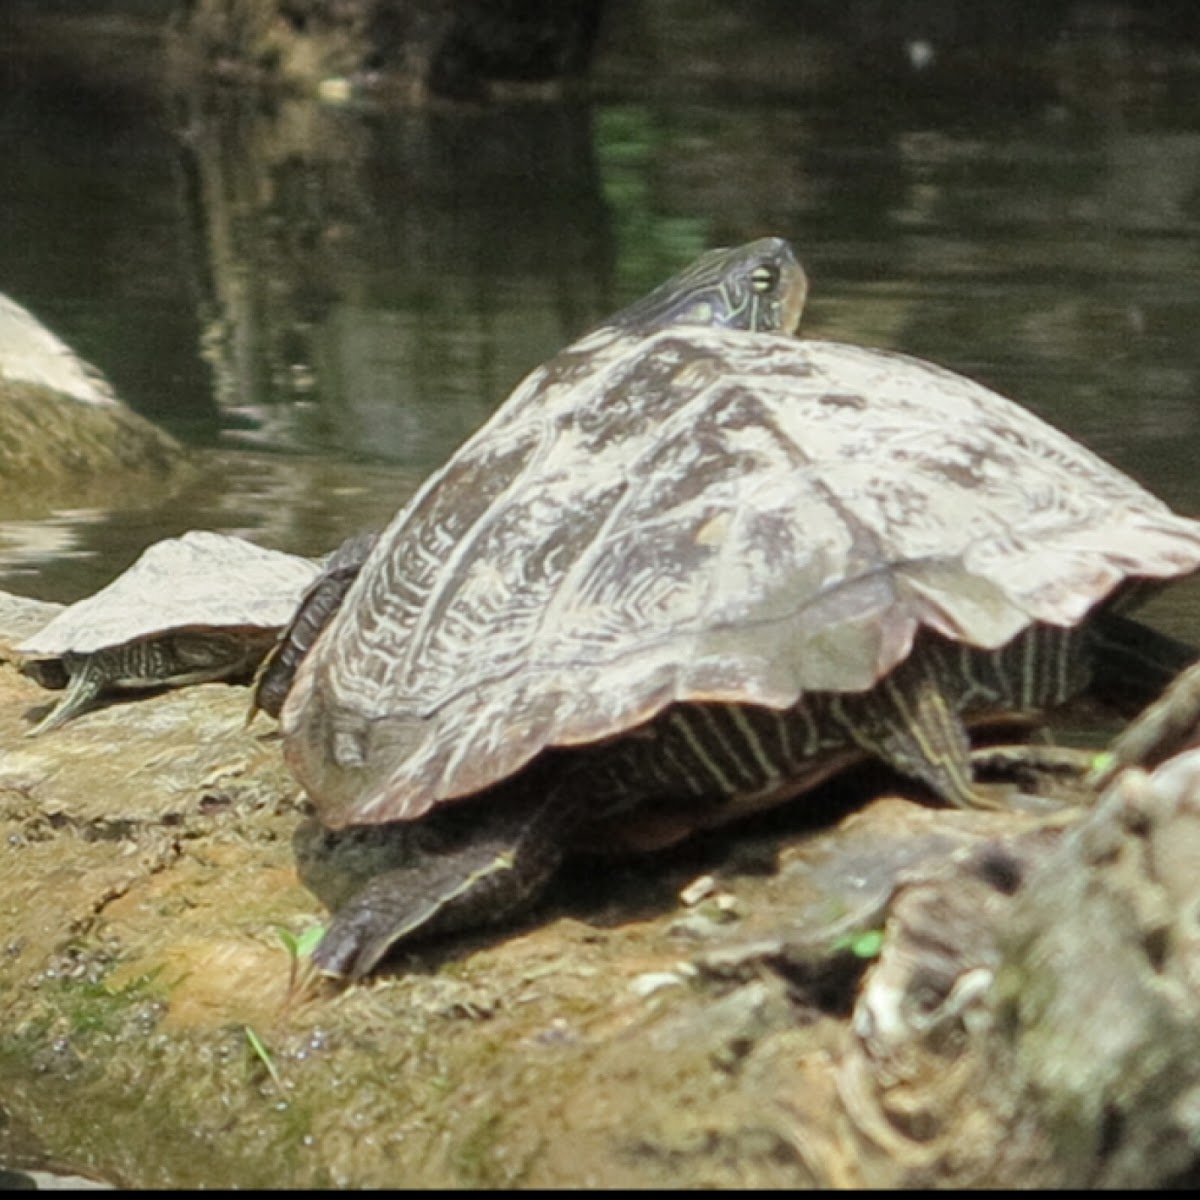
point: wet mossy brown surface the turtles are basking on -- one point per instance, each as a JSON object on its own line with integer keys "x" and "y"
{"x": 887, "y": 995}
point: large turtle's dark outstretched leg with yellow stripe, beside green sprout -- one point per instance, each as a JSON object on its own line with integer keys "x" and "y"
{"x": 501, "y": 866}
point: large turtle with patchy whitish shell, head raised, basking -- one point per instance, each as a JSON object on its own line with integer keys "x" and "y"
{"x": 692, "y": 567}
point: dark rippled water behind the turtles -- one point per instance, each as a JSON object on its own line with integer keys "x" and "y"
{"x": 326, "y": 301}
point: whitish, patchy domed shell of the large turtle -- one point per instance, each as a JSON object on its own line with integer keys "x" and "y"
{"x": 699, "y": 515}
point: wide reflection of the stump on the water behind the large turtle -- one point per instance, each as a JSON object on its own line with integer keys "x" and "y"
{"x": 380, "y": 284}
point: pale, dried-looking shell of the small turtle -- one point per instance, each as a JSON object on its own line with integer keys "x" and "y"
{"x": 199, "y": 581}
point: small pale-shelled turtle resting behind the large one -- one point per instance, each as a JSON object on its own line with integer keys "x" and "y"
{"x": 194, "y": 609}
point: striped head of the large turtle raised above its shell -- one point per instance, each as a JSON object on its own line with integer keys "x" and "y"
{"x": 758, "y": 287}
